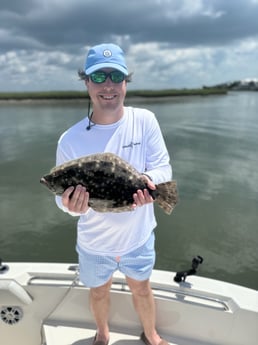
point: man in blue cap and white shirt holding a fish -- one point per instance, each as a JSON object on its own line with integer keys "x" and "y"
{"x": 110, "y": 241}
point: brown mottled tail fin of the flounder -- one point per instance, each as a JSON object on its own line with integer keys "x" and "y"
{"x": 167, "y": 196}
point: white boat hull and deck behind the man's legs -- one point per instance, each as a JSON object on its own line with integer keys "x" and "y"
{"x": 45, "y": 303}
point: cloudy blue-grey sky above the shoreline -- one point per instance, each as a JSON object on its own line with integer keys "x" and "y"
{"x": 168, "y": 43}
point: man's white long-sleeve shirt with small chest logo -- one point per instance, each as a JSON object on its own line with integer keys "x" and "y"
{"x": 136, "y": 138}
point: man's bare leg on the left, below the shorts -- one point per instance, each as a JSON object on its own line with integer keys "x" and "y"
{"x": 99, "y": 303}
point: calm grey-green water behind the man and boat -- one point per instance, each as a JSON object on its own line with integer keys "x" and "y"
{"x": 213, "y": 145}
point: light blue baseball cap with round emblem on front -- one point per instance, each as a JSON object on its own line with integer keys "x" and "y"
{"x": 107, "y": 55}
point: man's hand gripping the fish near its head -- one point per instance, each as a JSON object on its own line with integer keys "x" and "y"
{"x": 76, "y": 199}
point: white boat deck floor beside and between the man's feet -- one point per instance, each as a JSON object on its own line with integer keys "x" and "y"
{"x": 62, "y": 335}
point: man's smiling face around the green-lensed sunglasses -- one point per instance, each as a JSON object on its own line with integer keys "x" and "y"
{"x": 107, "y": 95}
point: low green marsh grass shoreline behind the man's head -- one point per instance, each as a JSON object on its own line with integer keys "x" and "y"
{"x": 82, "y": 96}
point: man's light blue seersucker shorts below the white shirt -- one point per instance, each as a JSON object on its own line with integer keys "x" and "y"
{"x": 96, "y": 270}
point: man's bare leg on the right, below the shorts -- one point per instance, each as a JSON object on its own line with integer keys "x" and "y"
{"x": 145, "y": 307}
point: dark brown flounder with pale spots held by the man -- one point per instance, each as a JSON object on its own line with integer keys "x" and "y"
{"x": 110, "y": 181}
